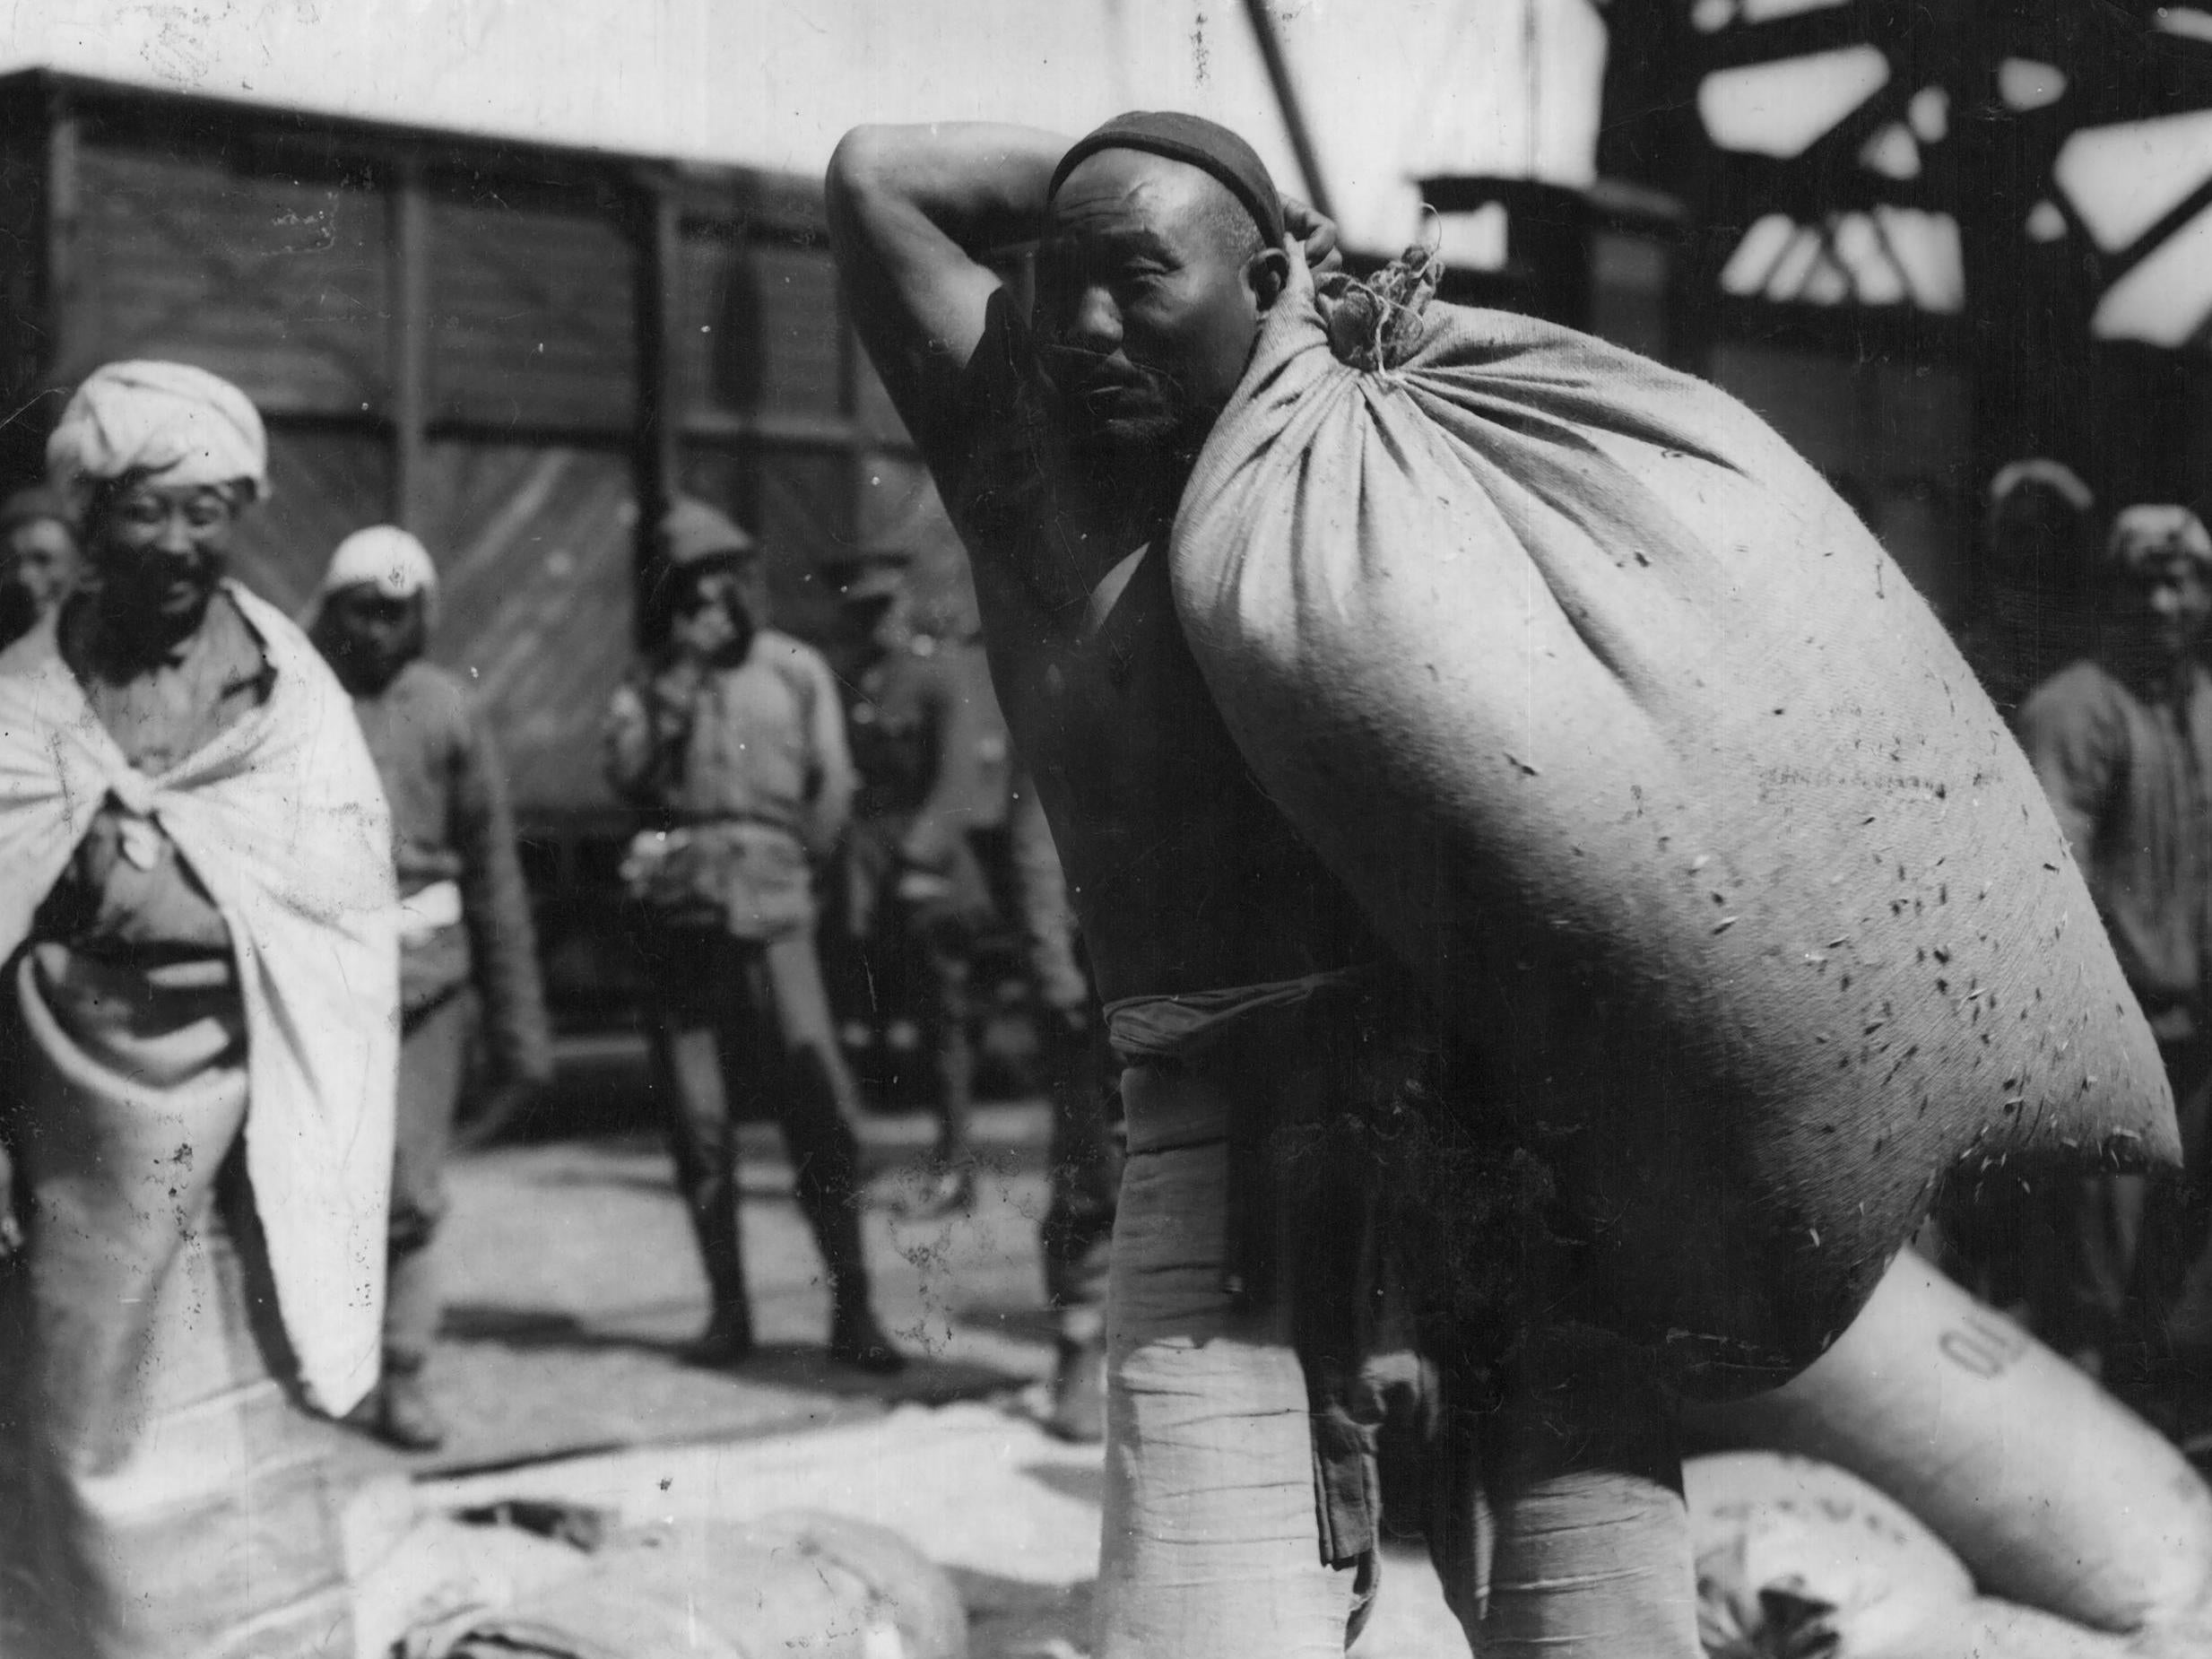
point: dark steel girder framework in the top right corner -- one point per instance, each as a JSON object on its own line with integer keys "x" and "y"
{"x": 2023, "y": 331}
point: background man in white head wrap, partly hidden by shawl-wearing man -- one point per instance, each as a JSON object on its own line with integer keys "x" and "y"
{"x": 468, "y": 954}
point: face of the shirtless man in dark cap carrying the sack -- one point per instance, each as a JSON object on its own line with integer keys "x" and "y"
{"x": 1149, "y": 298}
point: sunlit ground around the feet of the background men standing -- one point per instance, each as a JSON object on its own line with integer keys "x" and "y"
{"x": 574, "y": 1286}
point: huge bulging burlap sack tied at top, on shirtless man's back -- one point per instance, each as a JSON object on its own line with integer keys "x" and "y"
{"x": 1642, "y": 753}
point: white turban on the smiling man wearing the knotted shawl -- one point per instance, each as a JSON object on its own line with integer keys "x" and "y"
{"x": 178, "y": 424}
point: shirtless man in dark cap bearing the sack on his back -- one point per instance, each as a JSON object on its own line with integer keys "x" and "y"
{"x": 1182, "y": 875}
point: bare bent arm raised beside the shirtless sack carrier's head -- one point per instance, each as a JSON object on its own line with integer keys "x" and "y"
{"x": 912, "y": 211}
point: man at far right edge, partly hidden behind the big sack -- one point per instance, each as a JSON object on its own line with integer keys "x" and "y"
{"x": 2125, "y": 749}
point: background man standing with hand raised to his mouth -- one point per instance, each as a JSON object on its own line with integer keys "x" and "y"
{"x": 733, "y": 742}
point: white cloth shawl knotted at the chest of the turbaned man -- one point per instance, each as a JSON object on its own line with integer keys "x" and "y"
{"x": 284, "y": 820}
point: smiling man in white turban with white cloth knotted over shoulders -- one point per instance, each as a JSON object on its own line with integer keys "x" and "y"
{"x": 198, "y": 1036}
